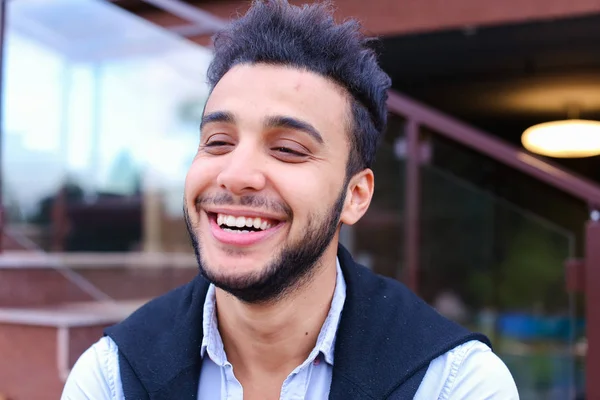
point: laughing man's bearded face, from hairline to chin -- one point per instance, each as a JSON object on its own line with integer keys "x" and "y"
{"x": 264, "y": 194}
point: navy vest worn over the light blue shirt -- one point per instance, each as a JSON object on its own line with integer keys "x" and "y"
{"x": 386, "y": 339}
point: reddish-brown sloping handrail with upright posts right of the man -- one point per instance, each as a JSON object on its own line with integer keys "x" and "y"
{"x": 418, "y": 115}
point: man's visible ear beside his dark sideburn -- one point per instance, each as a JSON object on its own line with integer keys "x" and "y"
{"x": 358, "y": 197}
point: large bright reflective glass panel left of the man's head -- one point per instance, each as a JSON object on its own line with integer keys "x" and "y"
{"x": 103, "y": 108}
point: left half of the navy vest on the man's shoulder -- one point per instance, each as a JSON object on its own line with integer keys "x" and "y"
{"x": 155, "y": 343}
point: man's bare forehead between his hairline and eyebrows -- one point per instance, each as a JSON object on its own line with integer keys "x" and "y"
{"x": 252, "y": 92}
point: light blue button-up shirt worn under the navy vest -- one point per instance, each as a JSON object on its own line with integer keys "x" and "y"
{"x": 468, "y": 372}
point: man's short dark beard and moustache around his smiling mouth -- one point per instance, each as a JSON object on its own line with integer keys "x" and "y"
{"x": 294, "y": 265}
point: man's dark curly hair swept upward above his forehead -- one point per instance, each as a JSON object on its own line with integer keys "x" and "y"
{"x": 275, "y": 32}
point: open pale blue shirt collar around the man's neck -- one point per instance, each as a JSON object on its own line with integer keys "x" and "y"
{"x": 212, "y": 343}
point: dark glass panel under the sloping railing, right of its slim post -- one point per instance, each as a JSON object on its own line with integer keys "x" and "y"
{"x": 499, "y": 269}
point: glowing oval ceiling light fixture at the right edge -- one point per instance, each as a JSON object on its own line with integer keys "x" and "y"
{"x": 572, "y": 138}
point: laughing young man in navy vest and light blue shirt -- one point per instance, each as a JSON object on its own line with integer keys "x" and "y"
{"x": 279, "y": 309}
